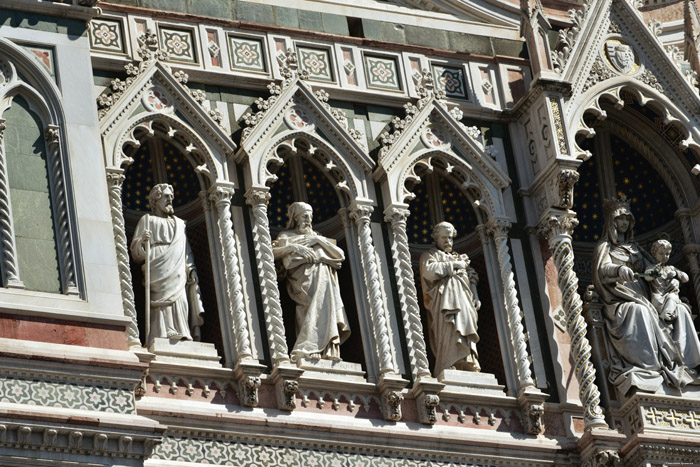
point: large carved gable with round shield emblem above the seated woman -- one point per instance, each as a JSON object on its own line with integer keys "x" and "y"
{"x": 614, "y": 50}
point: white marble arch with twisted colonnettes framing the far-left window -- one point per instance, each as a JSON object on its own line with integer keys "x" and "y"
{"x": 19, "y": 76}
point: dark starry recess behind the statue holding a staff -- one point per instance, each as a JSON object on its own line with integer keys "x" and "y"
{"x": 159, "y": 160}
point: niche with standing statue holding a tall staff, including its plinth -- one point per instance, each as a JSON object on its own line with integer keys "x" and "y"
{"x": 173, "y": 220}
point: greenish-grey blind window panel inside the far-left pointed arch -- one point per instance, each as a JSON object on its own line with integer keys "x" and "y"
{"x": 32, "y": 204}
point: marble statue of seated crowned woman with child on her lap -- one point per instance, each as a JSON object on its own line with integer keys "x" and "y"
{"x": 649, "y": 348}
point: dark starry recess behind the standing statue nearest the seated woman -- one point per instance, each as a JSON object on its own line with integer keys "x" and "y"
{"x": 438, "y": 198}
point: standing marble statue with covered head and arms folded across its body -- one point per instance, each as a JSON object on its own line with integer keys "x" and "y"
{"x": 309, "y": 262}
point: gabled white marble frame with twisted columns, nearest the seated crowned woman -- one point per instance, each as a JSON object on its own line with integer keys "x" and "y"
{"x": 432, "y": 137}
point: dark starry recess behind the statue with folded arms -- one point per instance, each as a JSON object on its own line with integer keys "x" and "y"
{"x": 300, "y": 179}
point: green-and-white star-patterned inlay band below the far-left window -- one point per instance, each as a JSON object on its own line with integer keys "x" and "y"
{"x": 66, "y": 395}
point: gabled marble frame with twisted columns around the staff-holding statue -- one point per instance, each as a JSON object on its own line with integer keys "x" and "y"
{"x": 152, "y": 107}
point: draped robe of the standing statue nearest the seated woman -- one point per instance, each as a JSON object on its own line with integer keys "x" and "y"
{"x": 452, "y": 316}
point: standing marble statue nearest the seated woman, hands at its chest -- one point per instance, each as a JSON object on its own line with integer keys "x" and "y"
{"x": 452, "y": 301}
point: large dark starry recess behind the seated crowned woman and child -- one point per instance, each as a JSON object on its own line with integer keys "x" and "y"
{"x": 637, "y": 148}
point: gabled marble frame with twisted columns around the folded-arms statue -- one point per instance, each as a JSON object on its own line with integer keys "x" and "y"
{"x": 297, "y": 124}
